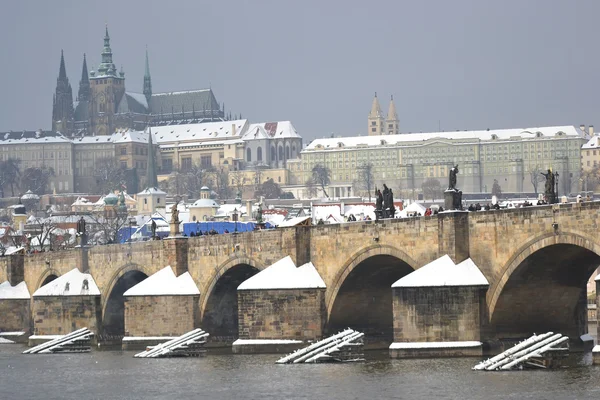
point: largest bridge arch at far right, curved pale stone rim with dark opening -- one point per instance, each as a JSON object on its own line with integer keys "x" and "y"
{"x": 550, "y": 268}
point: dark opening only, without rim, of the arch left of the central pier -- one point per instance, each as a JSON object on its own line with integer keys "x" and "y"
{"x": 220, "y": 314}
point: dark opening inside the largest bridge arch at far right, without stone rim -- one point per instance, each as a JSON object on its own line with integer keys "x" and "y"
{"x": 546, "y": 292}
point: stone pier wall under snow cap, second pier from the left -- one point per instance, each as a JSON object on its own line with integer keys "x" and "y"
{"x": 62, "y": 315}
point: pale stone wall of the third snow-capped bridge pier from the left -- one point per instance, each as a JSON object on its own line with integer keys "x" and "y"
{"x": 160, "y": 315}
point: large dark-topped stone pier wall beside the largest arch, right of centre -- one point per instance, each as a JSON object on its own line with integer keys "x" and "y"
{"x": 437, "y": 314}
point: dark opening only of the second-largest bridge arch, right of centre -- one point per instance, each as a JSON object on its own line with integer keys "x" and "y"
{"x": 364, "y": 299}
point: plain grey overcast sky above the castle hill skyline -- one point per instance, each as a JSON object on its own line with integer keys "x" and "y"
{"x": 454, "y": 64}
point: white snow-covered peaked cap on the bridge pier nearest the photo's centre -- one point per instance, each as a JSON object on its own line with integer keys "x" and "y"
{"x": 284, "y": 275}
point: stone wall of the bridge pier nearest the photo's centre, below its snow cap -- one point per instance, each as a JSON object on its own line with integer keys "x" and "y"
{"x": 281, "y": 314}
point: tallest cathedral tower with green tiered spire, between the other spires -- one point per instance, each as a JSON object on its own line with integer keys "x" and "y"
{"x": 107, "y": 90}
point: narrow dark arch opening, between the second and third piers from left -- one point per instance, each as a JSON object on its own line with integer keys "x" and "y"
{"x": 114, "y": 311}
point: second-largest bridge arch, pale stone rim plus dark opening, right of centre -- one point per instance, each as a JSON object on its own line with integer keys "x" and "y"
{"x": 360, "y": 296}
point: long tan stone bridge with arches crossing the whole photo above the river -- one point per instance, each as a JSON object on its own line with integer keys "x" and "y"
{"x": 537, "y": 261}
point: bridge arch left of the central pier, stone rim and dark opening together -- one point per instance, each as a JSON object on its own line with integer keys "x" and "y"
{"x": 218, "y": 298}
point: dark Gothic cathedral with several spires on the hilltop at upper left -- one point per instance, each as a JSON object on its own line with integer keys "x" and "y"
{"x": 103, "y": 104}
